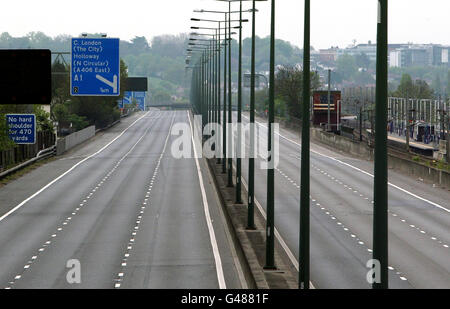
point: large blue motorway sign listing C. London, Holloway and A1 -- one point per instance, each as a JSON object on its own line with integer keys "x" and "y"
{"x": 95, "y": 67}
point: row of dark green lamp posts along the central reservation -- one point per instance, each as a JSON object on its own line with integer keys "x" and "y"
{"x": 209, "y": 96}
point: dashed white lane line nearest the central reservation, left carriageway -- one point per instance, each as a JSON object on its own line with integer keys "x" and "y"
{"x": 135, "y": 230}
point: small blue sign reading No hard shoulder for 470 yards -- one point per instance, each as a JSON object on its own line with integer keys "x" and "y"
{"x": 22, "y": 128}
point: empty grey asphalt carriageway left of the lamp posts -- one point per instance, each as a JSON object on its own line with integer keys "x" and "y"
{"x": 122, "y": 211}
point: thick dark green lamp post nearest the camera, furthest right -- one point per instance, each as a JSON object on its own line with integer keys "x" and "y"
{"x": 380, "y": 216}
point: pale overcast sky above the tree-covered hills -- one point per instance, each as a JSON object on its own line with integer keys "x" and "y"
{"x": 334, "y": 22}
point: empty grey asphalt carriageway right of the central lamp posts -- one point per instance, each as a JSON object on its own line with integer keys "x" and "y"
{"x": 342, "y": 214}
